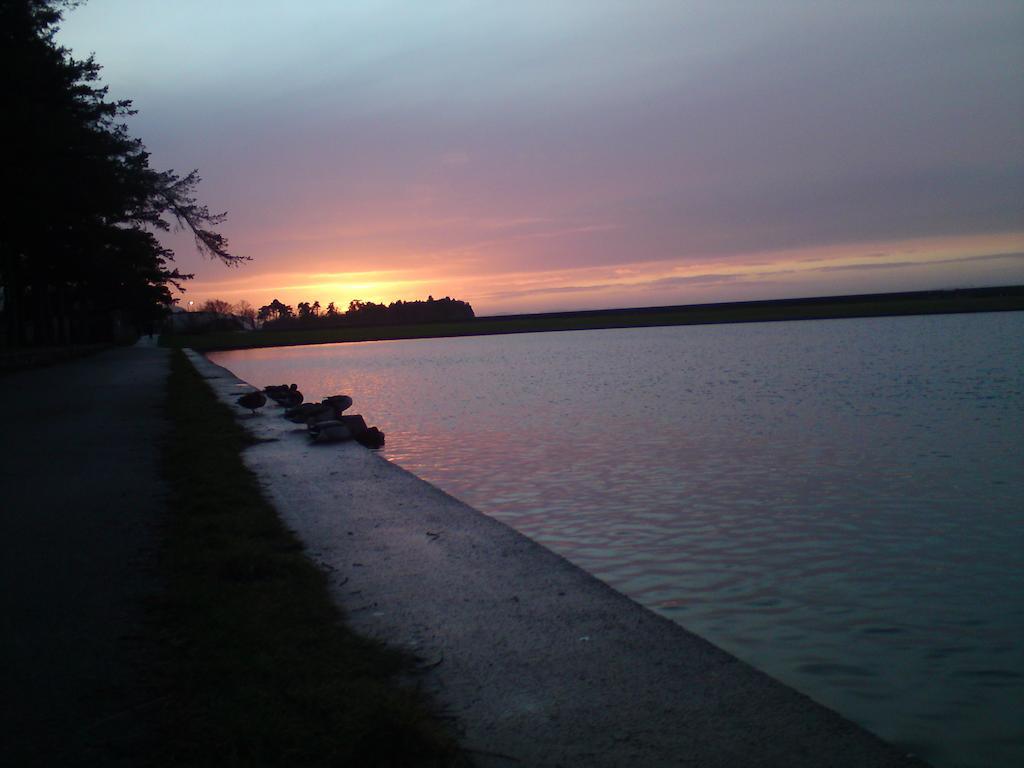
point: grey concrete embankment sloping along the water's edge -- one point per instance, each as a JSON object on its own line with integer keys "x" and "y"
{"x": 539, "y": 663}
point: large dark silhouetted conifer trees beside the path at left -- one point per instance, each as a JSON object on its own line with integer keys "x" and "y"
{"x": 77, "y": 235}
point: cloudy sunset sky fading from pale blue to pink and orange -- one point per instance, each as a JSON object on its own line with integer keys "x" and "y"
{"x": 559, "y": 155}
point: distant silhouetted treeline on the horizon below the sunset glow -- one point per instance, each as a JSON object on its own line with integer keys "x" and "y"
{"x": 278, "y": 316}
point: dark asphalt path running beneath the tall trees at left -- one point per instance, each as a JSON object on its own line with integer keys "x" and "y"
{"x": 80, "y": 502}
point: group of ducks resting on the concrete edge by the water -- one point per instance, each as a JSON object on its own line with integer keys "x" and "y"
{"x": 324, "y": 420}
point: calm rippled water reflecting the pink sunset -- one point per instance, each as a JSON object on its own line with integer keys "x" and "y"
{"x": 840, "y": 503}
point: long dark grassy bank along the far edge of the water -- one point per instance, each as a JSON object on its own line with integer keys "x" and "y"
{"x": 1009, "y": 298}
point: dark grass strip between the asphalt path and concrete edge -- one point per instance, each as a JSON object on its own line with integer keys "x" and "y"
{"x": 261, "y": 669}
